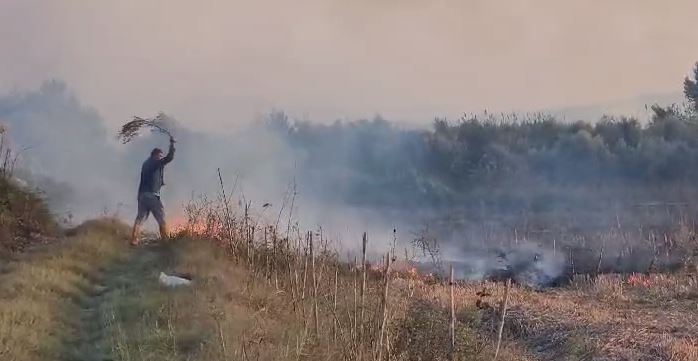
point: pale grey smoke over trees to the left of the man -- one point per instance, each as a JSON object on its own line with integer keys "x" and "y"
{"x": 65, "y": 149}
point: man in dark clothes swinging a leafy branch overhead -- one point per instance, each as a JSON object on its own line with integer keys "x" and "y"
{"x": 149, "y": 191}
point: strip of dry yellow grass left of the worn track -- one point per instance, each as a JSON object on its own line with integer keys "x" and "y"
{"x": 40, "y": 295}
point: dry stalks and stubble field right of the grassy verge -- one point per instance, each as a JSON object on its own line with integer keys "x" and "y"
{"x": 614, "y": 316}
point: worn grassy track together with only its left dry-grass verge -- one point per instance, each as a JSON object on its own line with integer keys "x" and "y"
{"x": 67, "y": 300}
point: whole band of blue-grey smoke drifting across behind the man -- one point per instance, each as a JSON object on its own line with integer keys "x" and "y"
{"x": 504, "y": 198}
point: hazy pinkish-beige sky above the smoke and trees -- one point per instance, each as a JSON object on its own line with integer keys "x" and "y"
{"x": 225, "y": 62}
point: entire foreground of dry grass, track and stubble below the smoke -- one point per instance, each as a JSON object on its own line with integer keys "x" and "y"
{"x": 91, "y": 297}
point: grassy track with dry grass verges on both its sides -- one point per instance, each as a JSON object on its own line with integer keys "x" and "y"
{"x": 92, "y": 298}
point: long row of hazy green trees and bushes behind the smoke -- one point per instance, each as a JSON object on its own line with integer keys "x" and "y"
{"x": 375, "y": 162}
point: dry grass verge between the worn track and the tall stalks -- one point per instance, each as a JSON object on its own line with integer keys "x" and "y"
{"x": 228, "y": 313}
